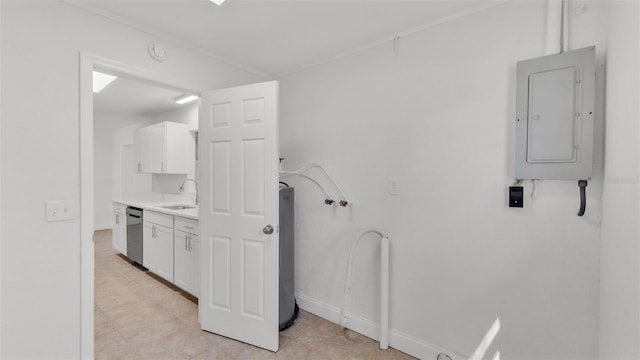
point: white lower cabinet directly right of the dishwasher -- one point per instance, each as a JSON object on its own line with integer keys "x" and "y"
{"x": 157, "y": 242}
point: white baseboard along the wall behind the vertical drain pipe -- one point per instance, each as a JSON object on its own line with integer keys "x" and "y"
{"x": 397, "y": 339}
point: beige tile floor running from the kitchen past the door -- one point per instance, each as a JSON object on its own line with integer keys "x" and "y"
{"x": 139, "y": 316}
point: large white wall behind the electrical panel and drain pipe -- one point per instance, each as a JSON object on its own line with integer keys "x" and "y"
{"x": 440, "y": 118}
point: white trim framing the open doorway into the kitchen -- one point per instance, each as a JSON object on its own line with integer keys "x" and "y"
{"x": 89, "y": 62}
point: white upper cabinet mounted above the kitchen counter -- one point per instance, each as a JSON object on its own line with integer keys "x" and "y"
{"x": 164, "y": 148}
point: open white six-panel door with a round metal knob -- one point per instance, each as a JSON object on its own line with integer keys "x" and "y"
{"x": 238, "y": 139}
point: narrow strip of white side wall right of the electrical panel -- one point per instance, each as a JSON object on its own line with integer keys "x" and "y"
{"x": 620, "y": 249}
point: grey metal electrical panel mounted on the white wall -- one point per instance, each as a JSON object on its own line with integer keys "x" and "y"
{"x": 555, "y": 114}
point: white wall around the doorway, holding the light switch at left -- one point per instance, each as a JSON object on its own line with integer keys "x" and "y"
{"x": 41, "y": 42}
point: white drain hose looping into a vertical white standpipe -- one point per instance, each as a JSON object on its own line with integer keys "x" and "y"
{"x": 384, "y": 285}
